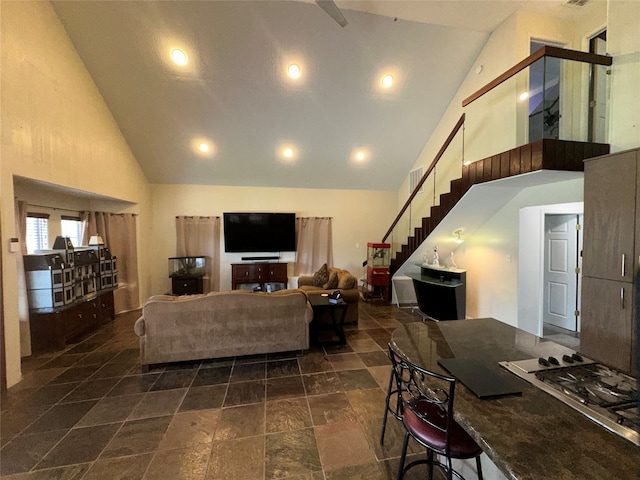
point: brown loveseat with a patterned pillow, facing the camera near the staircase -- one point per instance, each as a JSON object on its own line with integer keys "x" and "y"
{"x": 328, "y": 280}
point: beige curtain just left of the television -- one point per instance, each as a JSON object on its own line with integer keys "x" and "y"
{"x": 200, "y": 237}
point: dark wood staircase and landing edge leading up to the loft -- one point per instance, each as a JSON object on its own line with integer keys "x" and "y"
{"x": 545, "y": 154}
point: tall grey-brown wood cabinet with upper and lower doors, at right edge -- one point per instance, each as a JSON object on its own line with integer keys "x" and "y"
{"x": 610, "y": 259}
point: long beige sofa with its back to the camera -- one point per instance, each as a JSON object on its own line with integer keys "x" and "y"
{"x": 222, "y": 324}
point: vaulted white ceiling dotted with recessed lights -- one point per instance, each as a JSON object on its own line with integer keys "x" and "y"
{"x": 234, "y": 94}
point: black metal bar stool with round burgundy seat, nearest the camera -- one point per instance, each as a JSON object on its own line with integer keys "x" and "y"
{"x": 427, "y": 414}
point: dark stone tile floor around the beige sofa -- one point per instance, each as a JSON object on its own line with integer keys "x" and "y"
{"x": 89, "y": 413}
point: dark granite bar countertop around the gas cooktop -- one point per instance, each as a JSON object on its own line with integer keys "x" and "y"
{"x": 528, "y": 436}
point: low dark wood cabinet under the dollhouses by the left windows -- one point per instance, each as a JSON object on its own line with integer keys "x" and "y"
{"x": 52, "y": 330}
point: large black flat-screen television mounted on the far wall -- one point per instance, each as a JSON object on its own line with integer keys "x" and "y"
{"x": 259, "y": 232}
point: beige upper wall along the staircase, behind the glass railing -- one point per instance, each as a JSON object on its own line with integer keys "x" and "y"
{"x": 491, "y": 125}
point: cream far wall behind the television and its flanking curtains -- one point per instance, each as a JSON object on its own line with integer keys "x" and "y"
{"x": 358, "y": 217}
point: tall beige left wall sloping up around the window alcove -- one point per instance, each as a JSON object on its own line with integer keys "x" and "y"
{"x": 55, "y": 129}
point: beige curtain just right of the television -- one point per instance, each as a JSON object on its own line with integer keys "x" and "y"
{"x": 315, "y": 244}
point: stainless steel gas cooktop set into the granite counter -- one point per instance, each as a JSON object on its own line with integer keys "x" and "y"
{"x": 604, "y": 395}
